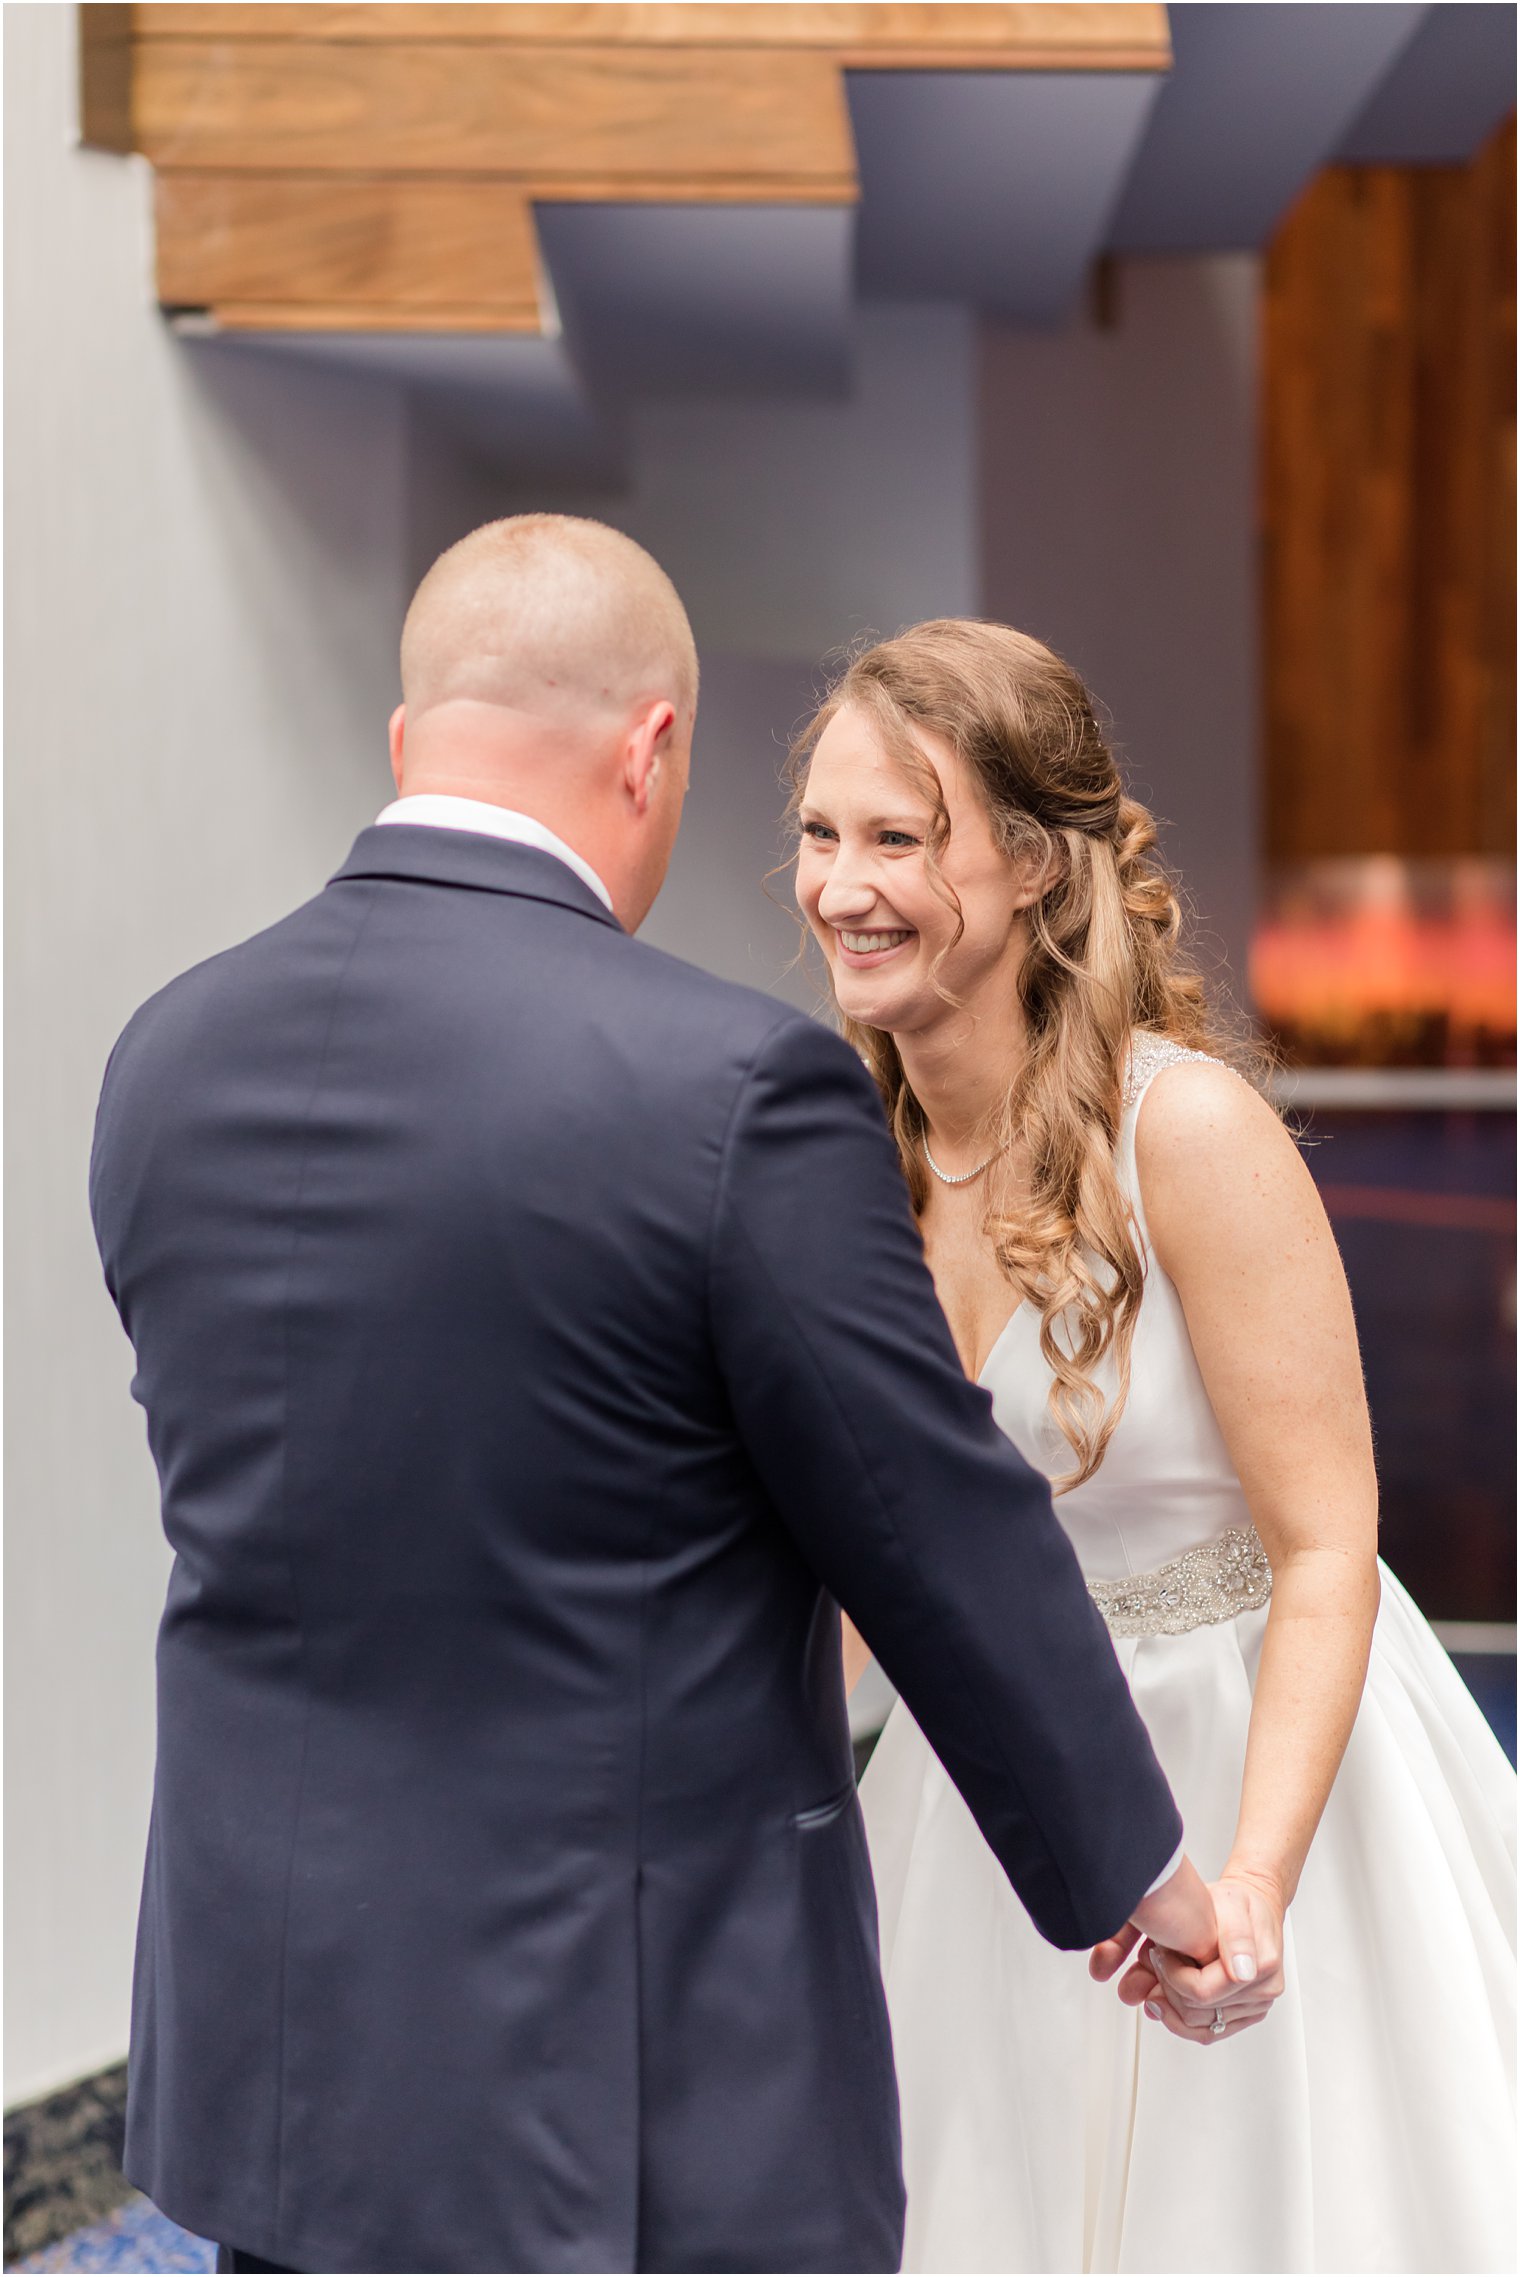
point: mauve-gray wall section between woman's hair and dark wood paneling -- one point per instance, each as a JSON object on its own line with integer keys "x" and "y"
{"x": 1118, "y": 504}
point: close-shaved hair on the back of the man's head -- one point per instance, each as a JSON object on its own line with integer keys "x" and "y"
{"x": 547, "y": 614}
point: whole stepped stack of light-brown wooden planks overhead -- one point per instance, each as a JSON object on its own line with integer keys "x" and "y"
{"x": 377, "y": 165}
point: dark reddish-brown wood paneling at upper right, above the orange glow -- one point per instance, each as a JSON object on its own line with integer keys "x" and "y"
{"x": 1389, "y": 500}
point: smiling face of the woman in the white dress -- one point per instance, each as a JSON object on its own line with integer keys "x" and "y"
{"x": 873, "y": 901}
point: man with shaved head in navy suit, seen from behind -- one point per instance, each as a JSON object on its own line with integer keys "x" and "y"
{"x": 536, "y": 1347}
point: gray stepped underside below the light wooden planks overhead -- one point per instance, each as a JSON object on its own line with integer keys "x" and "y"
{"x": 982, "y": 188}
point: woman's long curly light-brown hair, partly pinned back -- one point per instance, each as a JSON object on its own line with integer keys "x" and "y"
{"x": 1105, "y": 957}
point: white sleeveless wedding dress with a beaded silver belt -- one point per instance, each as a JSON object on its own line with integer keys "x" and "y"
{"x": 1369, "y": 2121}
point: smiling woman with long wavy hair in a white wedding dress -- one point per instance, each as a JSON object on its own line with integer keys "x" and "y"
{"x": 1139, "y": 1269}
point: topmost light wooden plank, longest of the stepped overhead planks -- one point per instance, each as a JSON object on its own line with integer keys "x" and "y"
{"x": 1061, "y": 35}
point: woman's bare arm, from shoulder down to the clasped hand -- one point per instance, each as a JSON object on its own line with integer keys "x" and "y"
{"x": 1241, "y": 1231}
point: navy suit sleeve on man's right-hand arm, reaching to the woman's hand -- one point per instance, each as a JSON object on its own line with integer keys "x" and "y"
{"x": 909, "y": 1502}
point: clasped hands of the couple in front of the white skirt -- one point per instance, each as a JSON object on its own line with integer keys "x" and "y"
{"x": 1203, "y": 1984}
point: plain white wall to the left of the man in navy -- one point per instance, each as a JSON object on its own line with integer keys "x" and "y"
{"x": 204, "y": 591}
